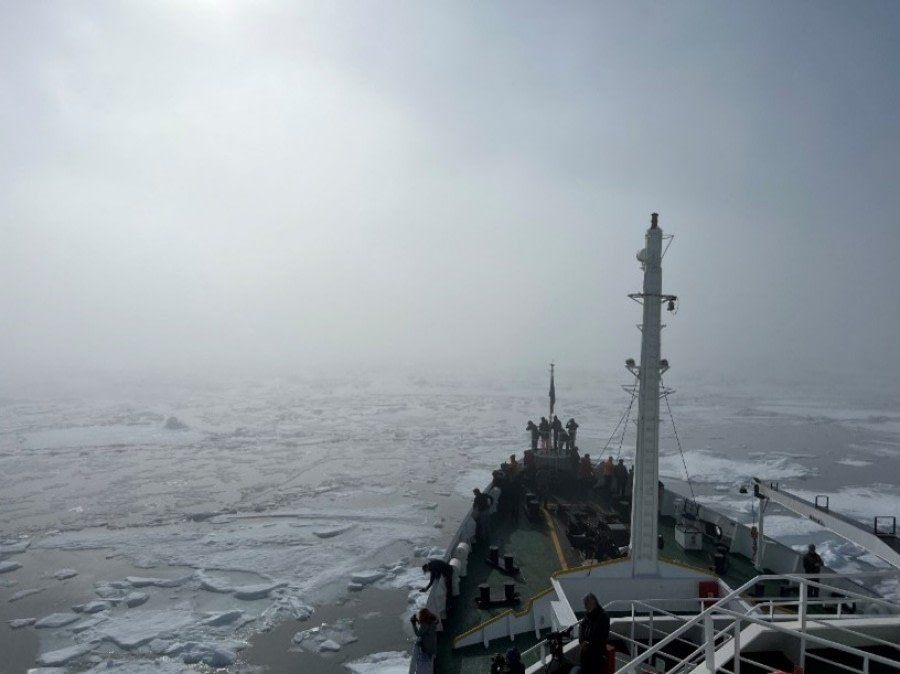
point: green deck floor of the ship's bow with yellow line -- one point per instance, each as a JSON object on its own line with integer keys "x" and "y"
{"x": 541, "y": 548}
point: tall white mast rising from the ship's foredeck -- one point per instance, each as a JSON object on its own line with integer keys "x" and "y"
{"x": 645, "y": 495}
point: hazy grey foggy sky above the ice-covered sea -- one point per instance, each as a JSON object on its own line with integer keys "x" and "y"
{"x": 296, "y": 185}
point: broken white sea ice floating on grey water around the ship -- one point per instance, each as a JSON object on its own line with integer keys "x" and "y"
{"x": 267, "y": 500}
